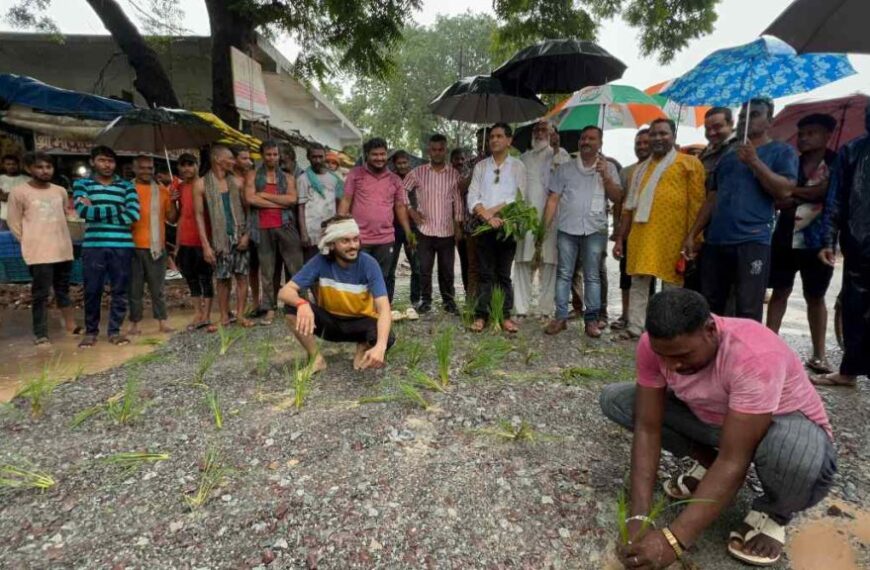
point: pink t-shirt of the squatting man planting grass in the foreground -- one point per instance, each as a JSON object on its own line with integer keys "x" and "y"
{"x": 755, "y": 372}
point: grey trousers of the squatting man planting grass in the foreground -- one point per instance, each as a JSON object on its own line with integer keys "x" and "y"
{"x": 795, "y": 461}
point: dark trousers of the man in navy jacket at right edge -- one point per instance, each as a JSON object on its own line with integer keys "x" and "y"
{"x": 855, "y": 307}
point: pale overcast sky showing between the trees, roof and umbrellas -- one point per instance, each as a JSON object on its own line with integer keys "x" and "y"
{"x": 740, "y": 21}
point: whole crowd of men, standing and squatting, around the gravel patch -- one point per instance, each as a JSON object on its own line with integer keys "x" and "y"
{"x": 716, "y": 231}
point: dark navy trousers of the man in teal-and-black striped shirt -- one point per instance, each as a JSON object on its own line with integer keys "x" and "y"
{"x": 99, "y": 265}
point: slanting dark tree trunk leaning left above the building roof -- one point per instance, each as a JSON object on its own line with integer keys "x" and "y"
{"x": 151, "y": 79}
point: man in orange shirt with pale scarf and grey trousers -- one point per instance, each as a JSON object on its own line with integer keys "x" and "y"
{"x": 149, "y": 241}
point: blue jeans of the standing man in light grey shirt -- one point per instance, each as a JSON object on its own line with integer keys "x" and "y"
{"x": 590, "y": 248}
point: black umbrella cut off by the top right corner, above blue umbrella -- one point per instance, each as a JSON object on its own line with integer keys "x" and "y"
{"x": 813, "y": 26}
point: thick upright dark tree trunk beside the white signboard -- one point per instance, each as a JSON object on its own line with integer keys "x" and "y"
{"x": 228, "y": 29}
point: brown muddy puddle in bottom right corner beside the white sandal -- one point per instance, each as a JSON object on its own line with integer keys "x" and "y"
{"x": 830, "y": 542}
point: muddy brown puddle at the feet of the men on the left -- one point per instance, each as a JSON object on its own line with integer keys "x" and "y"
{"x": 23, "y": 360}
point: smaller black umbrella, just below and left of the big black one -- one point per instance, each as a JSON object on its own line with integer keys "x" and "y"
{"x": 484, "y": 99}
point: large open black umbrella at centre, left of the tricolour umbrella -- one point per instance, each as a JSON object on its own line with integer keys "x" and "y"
{"x": 561, "y": 66}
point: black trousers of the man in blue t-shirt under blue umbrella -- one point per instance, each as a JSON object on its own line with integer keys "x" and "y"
{"x": 745, "y": 267}
